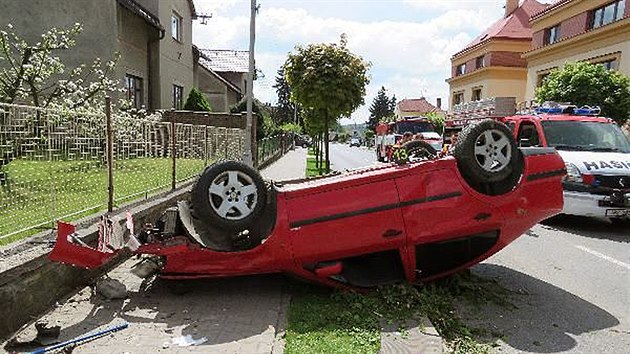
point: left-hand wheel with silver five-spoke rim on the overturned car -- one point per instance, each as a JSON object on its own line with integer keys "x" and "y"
{"x": 229, "y": 195}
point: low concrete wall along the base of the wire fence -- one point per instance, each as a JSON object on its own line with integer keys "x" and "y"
{"x": 30, "y": 289}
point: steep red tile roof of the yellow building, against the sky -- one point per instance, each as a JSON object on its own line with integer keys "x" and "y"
{"x": 514, "y": 26}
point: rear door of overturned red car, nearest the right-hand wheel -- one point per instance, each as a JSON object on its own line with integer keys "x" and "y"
{"x": 446, "y": 226}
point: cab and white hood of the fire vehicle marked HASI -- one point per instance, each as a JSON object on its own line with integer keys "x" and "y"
{"x": 596, "y": 154}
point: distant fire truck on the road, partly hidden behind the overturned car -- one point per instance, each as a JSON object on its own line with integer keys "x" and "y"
{"x": 388, "y": 135}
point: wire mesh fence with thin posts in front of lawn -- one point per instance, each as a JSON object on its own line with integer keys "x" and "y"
{"x": 54, "y": 164}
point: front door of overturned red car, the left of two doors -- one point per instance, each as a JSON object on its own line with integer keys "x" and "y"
{"x": 351, "y": 233}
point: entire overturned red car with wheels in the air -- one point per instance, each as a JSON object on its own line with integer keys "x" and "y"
{"x": 414, "y": 221}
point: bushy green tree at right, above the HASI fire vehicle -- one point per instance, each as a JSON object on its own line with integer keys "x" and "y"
{"x": 582, "y": 83}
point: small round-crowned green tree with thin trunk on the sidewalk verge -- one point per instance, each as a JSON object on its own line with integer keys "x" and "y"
{"x": 328, "y": 79}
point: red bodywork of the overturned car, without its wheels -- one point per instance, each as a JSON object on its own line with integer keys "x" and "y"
{"x": 394, "y": 209}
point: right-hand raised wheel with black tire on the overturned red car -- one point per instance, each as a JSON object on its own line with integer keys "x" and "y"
{"x": 482, "y": 156}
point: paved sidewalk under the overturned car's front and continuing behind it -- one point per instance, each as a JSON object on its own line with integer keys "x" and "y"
{"x": 236, "y": 315}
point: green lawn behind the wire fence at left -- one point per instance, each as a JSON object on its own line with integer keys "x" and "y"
{"x": 39, "y": 192}
